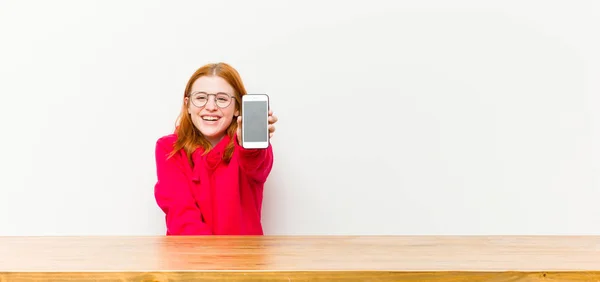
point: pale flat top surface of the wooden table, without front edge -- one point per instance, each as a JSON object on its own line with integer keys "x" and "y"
{"x": 300, "y": 253}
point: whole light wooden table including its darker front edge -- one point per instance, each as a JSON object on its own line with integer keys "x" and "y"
{"x": 322, "y": 258}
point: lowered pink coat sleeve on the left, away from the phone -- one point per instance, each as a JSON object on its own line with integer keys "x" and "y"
{"x": 173, "y": 196}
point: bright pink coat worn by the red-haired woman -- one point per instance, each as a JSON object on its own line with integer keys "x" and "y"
{"x": 213, "y": 197}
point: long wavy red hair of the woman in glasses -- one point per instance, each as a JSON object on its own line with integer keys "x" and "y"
{"x": 189, "y": 138}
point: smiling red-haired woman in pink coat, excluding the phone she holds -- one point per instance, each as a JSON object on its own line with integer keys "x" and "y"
{"x": 207, "y": 184}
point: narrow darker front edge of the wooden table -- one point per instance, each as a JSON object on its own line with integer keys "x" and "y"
{"x": 302, "y": 276}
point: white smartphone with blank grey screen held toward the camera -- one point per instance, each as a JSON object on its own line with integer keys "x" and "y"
{"x": 255, "y": 121}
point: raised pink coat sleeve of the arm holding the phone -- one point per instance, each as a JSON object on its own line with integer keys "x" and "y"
{"x": 255, "y": 163}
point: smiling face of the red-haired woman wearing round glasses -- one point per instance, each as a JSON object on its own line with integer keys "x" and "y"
{"x": 213, "y": 118}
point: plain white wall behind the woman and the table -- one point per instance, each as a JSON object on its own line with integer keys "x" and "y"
{"x": 396, "y": 117}
